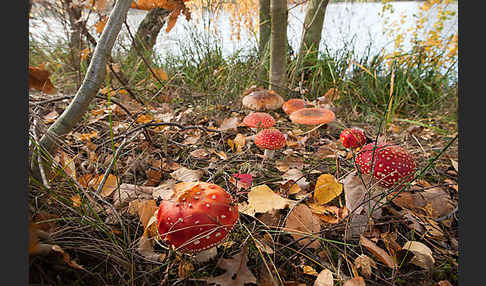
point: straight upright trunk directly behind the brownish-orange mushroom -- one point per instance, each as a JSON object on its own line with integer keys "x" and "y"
{"x": 278, "y": 47}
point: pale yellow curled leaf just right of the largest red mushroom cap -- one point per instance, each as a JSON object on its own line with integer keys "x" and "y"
{"x": 262, "y": 199}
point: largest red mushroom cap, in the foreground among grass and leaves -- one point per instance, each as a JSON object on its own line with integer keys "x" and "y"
{"x": 200, "y": 218}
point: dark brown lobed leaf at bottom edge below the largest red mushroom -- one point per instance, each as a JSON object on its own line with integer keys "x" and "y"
{"x": 237, "y": 272}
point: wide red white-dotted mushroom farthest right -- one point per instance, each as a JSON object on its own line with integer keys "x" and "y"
{"x": 392, "y": 164}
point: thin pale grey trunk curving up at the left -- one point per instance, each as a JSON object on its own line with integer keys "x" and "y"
{"x": 92, "y": 82}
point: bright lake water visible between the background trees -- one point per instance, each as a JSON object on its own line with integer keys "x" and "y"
{"x": 353, "y": 25}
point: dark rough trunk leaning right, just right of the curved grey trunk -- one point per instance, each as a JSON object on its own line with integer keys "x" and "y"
{"x": 149, "y": 29}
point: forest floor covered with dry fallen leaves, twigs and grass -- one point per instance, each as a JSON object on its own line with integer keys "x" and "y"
{"x": 178, "y": 137}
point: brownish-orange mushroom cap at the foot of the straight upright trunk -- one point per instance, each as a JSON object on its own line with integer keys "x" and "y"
{"x": 262, "y": 99}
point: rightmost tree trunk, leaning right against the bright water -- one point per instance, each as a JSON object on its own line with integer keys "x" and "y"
{"x": 311, "y": 34}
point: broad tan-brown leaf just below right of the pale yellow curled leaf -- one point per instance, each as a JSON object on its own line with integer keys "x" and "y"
{"x": 301, "y": 223}
